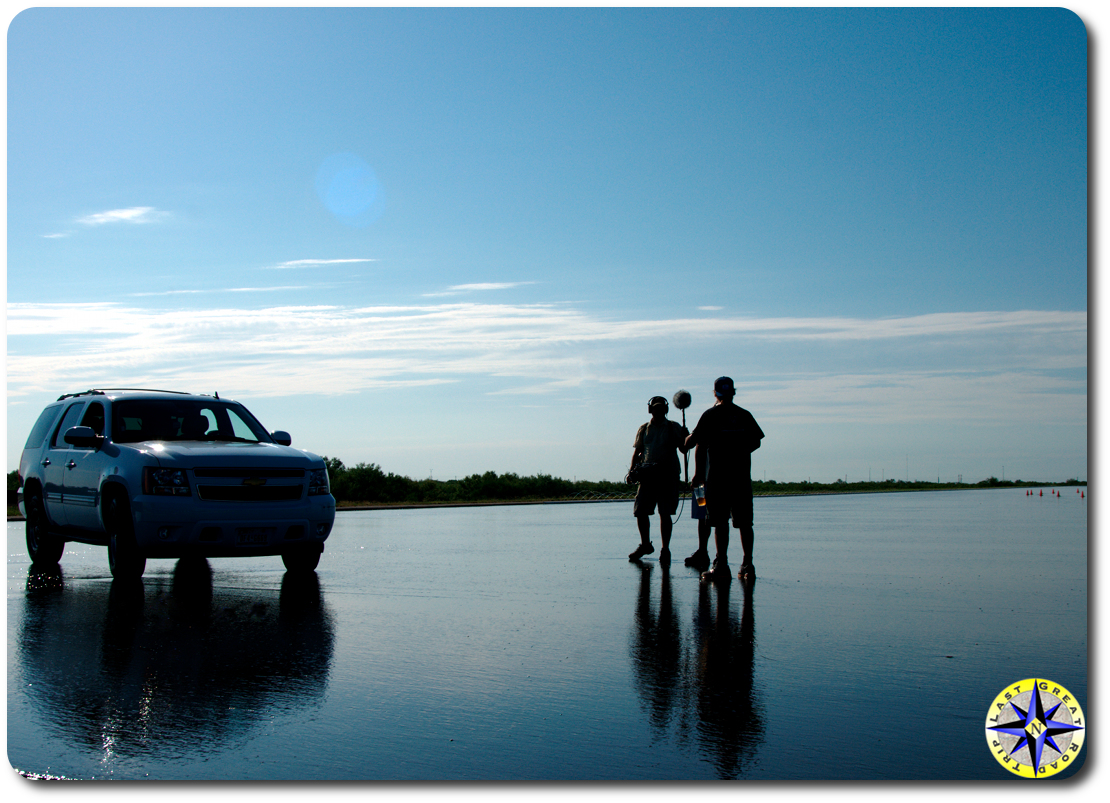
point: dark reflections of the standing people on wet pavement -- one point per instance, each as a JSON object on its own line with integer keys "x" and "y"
{"x": 700, "y": 682}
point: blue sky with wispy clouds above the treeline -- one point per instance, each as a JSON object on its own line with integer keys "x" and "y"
{"x": 449, "y": 240}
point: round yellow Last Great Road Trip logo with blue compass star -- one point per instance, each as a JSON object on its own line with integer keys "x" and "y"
{"x": 1035, "y": 728}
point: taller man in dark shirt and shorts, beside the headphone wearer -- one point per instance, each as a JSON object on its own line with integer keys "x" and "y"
{"x": 725, "y": 437}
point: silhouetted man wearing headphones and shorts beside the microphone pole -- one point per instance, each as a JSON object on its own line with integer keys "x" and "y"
{"x": 657, "y": 451}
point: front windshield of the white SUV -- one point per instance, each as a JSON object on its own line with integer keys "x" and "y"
{"x": 184, "y": 420}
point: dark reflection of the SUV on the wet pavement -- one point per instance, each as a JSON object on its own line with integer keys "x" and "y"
{"x": 170, "y": 665}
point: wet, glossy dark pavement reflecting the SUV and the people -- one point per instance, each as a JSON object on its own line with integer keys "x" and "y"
{"x": 520, "y": 644}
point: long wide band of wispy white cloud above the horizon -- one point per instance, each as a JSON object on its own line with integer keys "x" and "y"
{"x": 980, "y": 367}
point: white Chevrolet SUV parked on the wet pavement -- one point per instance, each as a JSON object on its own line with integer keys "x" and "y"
{"x": 165, "y": 475}
